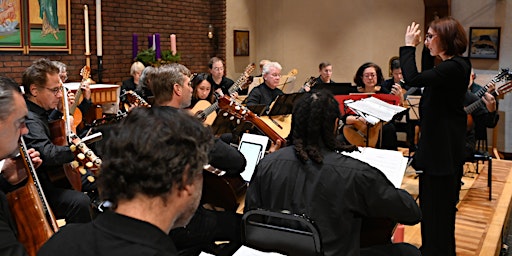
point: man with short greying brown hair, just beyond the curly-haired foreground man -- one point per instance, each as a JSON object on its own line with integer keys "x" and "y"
{"x": 206, "y": 226}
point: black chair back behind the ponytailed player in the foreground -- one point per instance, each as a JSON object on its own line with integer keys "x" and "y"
{"x": 280, "y": 232}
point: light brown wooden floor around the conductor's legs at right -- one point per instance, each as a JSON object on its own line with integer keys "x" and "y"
{"x": 479, "y": 223}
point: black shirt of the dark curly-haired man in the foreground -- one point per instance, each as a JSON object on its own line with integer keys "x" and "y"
{"x": 110, "y": 234}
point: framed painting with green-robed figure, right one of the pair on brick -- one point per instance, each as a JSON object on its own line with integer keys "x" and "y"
{"x": 49, "y": 25}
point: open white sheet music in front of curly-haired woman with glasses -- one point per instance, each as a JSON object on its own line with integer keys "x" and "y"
{"x": 376, "y": 108}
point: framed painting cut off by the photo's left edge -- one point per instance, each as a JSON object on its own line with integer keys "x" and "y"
{"x": 11, "y": 25}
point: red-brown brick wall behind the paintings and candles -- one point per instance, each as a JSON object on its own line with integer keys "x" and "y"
{"x": 120, "y": 19}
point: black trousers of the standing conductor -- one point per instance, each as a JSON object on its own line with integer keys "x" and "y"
{"x": 438, "y": 198}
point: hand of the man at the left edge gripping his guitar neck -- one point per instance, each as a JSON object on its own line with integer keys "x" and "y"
{"x": 13, "y": 169}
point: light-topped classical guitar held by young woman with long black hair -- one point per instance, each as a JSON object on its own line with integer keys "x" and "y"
{"x": 206, "y": 112}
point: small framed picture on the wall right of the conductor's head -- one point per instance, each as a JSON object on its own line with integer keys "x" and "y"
{"x": 484, "y": 42}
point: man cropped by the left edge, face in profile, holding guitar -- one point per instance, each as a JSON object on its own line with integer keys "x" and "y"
{"x": 12, "y": 125}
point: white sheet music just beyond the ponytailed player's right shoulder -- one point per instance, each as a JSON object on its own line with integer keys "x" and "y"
{"x": 390, "y": 162}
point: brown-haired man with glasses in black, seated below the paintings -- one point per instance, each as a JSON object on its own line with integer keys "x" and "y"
{"x": 43, "y": 94}
